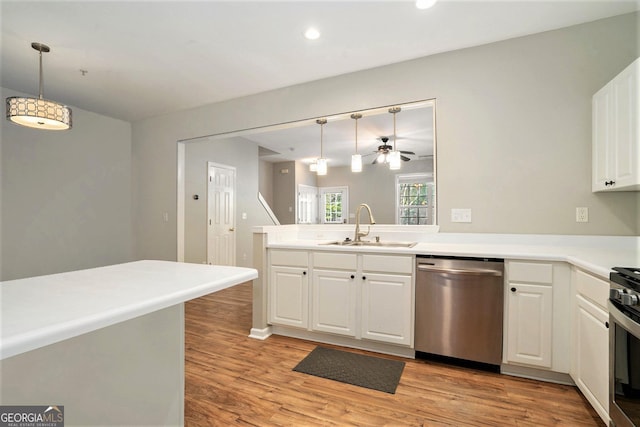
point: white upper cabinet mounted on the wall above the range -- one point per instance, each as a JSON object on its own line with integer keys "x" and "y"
{"x": 616, "y": 140}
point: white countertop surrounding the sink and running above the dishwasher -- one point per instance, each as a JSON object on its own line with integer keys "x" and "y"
{"x": 596, "y": 254}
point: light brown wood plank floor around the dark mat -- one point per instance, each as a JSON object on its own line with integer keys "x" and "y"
{"x": 235, "y": 380}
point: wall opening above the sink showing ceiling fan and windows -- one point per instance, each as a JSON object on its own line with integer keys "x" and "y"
{"x": 290, "y": 188}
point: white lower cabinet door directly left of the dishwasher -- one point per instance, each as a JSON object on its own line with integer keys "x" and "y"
{"x": 386, "y": 308}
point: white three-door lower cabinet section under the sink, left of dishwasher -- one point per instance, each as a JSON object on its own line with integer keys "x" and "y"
{"x": 362, "y": 296}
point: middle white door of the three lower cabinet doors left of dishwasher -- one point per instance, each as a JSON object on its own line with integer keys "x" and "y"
{"x": 334, "y": 302}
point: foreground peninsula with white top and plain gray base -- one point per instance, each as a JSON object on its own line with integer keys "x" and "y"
{"x": 107, "y": 343}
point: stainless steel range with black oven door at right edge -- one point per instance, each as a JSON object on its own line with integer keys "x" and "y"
{"x": 624, "y": 347}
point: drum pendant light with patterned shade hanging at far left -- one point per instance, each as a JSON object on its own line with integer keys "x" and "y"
{"x": 38, "y": 113}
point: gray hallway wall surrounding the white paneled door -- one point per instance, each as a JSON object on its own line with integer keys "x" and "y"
{"x": 242, "y": 155}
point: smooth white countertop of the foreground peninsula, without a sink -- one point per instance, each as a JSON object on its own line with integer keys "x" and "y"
{"x": 39, "y": 311}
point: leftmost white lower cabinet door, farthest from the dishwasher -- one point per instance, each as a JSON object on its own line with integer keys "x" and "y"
{"x": 289, "y": 296}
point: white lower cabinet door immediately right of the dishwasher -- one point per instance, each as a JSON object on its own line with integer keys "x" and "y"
{"x": 529, "y": 327}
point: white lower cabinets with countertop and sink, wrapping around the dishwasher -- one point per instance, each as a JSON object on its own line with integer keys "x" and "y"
{"x": 318, "y": 286}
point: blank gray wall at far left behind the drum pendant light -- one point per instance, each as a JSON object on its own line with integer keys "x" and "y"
{"x": 65, "y": 196}
